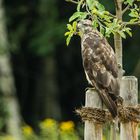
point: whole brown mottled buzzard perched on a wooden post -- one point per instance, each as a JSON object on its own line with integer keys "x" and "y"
{"x": 100, "y": 65}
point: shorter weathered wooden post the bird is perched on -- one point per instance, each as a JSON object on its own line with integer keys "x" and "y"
{"x": 92, "y": 131}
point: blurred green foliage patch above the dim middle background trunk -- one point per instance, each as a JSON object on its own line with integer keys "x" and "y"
{"x": 46, "y": 30}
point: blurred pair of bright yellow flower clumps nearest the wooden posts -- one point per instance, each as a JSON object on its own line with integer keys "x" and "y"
{"x": 50, "y": 129}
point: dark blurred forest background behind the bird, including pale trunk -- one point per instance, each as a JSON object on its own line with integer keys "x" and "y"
{"x": 39, "y": 75}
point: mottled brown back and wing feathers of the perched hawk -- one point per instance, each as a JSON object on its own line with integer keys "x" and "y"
{"x": 99, "y": 60}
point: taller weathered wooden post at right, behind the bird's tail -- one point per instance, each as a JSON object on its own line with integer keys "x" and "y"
{"x": 129, "y": 92}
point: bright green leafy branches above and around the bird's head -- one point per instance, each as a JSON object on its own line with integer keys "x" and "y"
{"x": 102, "y": 19}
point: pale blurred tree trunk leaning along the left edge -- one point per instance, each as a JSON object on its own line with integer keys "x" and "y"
{"x": 7, "y": 87}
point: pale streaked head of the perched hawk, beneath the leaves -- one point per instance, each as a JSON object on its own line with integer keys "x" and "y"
{"x": 84, "y": 26}
